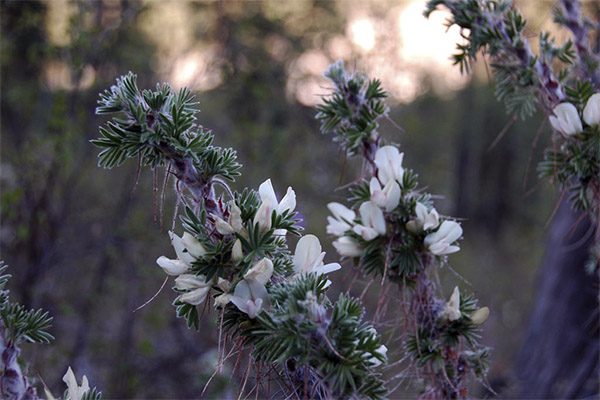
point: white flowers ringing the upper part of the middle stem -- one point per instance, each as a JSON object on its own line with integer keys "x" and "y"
{"x": 385, "y": 197}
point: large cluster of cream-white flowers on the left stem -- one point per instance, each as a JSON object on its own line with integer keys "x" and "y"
{"x": 246, "y": 288}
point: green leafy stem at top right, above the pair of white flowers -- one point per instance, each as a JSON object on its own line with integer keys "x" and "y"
{"x": 497, "y": 28}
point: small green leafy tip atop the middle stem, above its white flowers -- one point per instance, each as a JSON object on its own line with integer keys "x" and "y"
{"x": 352, "y": 111}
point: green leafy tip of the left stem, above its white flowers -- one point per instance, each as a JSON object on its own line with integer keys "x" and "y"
{"x": 158, "y": 126}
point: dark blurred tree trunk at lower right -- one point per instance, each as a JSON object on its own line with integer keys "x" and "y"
{"x": 559, "y": 357}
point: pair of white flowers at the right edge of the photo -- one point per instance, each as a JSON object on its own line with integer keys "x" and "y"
{"x": 566, "y": 119}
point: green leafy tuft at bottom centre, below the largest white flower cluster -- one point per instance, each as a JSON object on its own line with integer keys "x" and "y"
{"x": 331, "y": 339}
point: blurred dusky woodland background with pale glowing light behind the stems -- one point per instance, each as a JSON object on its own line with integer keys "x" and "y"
{"x": 81, "y": 244}
